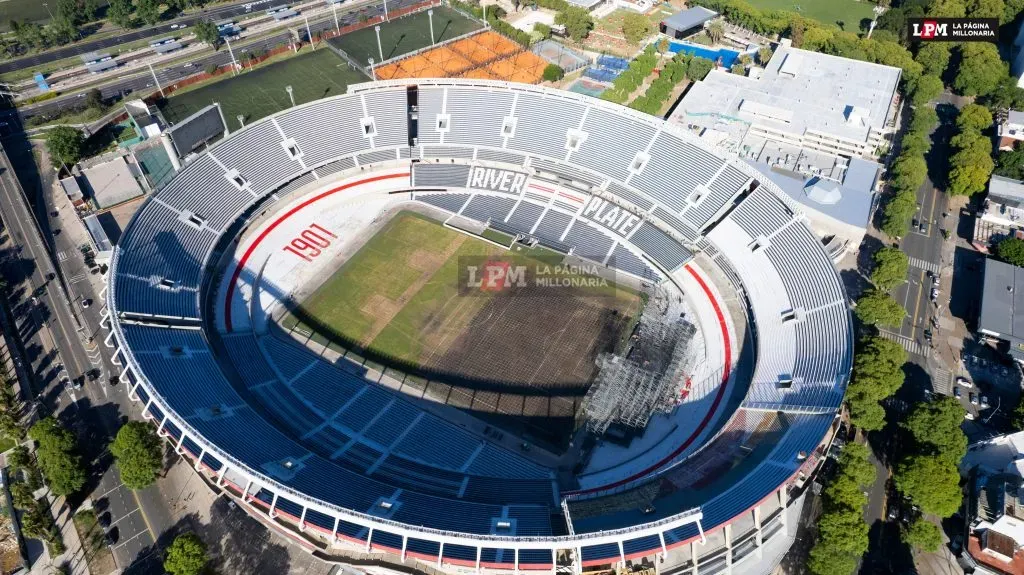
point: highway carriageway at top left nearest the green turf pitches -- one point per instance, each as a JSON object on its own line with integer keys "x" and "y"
{"x": 169, "y": 75}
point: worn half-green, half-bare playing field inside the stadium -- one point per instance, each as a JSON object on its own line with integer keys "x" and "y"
{"x": 526, "y": 355}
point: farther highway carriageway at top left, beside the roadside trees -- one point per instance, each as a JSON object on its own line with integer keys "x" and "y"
{"x": 218, "y": 14}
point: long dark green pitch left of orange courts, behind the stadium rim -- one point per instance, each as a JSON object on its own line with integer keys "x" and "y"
{"x": 261, "y": 93}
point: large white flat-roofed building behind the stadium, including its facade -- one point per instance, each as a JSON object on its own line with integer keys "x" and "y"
{"x": 803, "y": 101}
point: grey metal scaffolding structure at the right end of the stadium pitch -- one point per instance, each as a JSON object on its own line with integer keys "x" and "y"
{"x": 647, "y": 380}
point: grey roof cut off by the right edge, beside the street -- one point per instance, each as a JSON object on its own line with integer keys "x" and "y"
{"x": 1003, "y": 305}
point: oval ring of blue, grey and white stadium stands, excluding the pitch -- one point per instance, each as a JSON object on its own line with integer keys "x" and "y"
{"x": 281, "y": 422}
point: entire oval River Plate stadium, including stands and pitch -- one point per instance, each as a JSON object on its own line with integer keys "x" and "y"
{"x": 320, "y": 311}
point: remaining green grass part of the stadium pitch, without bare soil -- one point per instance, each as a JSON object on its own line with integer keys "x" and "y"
{"x": 399, "y": 296}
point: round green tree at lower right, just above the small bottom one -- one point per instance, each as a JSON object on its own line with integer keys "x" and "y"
{"x": 932, "y": 483}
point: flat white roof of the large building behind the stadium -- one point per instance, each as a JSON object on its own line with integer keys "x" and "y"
{"x": 801, "y": 92}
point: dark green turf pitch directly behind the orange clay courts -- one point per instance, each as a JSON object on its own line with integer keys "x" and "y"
{"x": 404, "y": 35}
